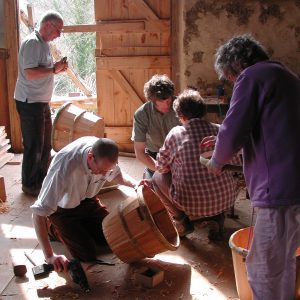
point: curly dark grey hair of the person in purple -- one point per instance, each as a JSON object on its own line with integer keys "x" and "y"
{"x": 237, "y": 54}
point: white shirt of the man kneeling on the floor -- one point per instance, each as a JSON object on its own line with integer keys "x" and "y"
{"x": 69, "y": 180}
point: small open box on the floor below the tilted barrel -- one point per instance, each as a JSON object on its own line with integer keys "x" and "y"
{"x": 149, "y": 277}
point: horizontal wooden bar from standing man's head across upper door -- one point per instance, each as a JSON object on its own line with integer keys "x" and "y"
{"x": 108, "y": 27}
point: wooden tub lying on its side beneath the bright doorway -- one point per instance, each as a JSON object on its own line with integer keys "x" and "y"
{"x": 71, "y": 122}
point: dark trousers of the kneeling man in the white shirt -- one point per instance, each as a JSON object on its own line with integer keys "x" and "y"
{"x": 80, "y": 228}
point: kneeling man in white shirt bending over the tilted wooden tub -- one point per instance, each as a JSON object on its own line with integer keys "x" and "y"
{"x": 68, "y": 208}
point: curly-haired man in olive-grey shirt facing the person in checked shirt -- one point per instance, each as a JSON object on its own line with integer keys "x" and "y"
{"x": 153, "y": 121}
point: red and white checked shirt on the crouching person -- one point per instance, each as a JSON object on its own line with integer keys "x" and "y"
{"x": 193, "y": 189}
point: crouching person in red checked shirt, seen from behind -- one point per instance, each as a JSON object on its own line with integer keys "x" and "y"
{"x": 188, "y": 191}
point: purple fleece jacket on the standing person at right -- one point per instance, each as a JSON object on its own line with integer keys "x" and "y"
{"x": 264, "y": 120}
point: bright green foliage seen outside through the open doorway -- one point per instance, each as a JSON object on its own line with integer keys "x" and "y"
{"x": 78, "y": 47}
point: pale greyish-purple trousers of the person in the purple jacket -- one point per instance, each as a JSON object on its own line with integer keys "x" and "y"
{"x": 271, "y": 262}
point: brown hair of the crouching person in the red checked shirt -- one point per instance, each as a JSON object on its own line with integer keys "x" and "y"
{"x": 189, "y": 104}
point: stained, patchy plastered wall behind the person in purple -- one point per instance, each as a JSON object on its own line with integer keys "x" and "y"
{"x": 207, "y": 24}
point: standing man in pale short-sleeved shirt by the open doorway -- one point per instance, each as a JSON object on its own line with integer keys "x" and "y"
{"x": 33, "y": 93}
